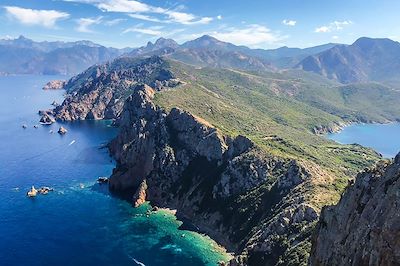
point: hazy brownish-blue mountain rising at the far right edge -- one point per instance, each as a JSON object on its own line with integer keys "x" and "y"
{"x": 365, "y": 60}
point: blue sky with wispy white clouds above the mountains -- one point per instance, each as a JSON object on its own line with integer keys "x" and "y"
{"x": 255, "y": 23}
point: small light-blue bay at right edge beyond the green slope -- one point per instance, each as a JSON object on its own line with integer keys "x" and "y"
{"x": 384, "y": 138}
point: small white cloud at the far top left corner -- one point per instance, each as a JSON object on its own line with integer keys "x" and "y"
{"x": 46, "y": 18}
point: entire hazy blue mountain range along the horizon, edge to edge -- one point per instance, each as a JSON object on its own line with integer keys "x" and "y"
{"x": 366, "y": 60}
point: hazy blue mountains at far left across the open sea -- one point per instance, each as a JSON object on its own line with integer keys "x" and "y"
{"x": 25, "y": 56}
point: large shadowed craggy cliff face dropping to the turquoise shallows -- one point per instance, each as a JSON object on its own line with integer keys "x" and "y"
{"x": 246, "y": 199}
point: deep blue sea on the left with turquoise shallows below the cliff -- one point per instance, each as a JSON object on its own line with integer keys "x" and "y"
{"x": 79, "y": 223}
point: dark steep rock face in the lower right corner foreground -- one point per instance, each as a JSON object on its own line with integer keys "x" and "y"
{"x": 363, "y": 228}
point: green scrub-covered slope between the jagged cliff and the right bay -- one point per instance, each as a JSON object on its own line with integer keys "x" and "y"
{"x": 278, "y": 112}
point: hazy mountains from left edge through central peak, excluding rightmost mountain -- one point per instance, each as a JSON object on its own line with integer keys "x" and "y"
{"x": 25, "y": 56}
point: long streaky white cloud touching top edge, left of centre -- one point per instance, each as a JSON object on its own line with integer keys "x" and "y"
{"x": 139, "y": 10}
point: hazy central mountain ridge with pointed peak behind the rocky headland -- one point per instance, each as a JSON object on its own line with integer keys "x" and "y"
{"x": 209, "y": 51}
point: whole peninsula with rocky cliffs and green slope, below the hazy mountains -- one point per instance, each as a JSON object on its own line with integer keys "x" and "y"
{"x": 234, "y": 152}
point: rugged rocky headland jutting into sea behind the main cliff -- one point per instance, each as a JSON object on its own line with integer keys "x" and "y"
{"x": 100, "y": 91}
